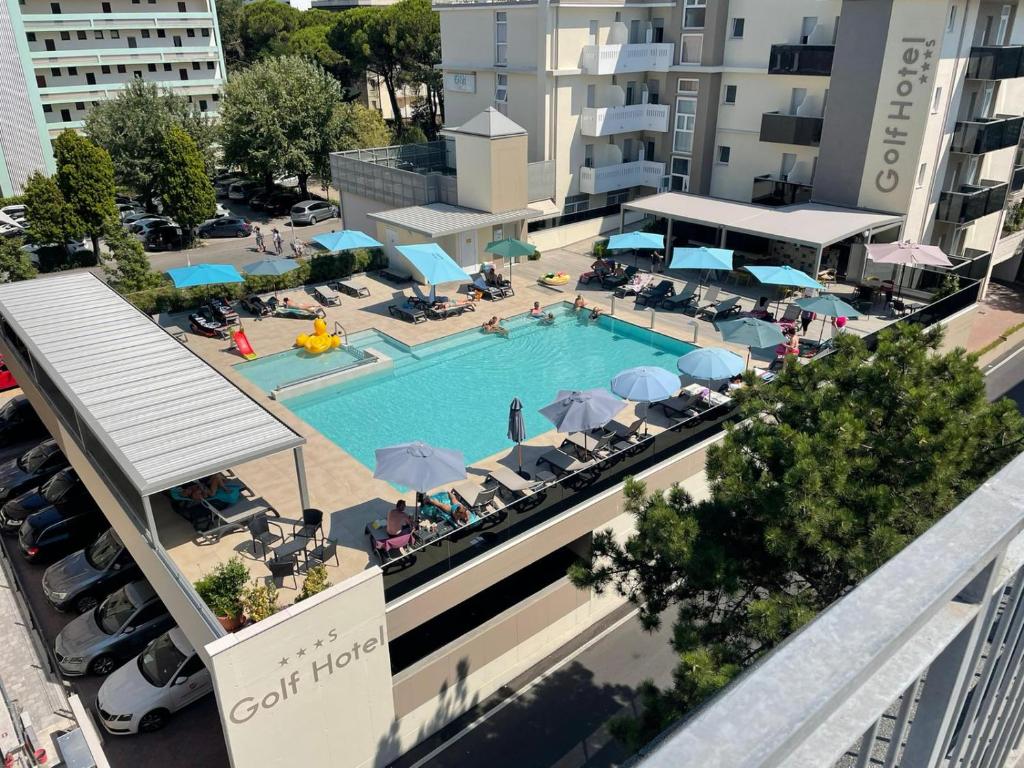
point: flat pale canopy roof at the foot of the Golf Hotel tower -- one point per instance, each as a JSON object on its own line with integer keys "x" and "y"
{"x": 807, "y": 224}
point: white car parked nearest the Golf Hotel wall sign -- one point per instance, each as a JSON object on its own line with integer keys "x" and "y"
{"x": 141, "y": 697}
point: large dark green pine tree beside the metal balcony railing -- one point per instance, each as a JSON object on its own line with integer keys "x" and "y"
{"x": 861, "y": 455}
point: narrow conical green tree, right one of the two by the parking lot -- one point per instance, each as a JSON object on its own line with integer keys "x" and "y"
{"x": 185, "y": 187}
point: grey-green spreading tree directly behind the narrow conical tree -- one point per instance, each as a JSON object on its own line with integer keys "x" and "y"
{"x": 133, "y": 126}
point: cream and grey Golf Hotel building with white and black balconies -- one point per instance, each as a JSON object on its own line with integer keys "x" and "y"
{"x": 775, "y": 102}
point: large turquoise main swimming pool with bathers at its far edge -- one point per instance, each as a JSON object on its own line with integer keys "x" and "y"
{"x": 455, "y": 393}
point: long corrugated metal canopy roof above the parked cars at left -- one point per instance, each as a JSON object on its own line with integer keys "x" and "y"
{"x": 163, "y": 414}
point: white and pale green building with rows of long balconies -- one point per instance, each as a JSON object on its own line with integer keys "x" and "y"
{"x": 58, "y": 60}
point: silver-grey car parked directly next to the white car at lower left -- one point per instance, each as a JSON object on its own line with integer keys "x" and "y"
{"x": 102, "y": 639}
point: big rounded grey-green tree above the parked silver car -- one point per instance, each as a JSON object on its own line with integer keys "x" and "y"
{"x": 275, "y": 119}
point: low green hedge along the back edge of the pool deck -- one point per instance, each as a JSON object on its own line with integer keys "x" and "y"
{"x": 316, "y": 271}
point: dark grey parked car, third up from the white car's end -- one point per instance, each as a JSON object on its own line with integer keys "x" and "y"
{"x": 83, "y": 579}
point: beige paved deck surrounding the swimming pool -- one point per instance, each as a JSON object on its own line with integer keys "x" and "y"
{"x": 339, "y": 485}
